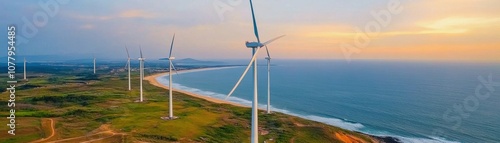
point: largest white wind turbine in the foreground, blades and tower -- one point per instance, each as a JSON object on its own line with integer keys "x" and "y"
{"x": 255, "y": 49}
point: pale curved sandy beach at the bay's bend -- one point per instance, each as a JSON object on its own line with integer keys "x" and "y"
{"x": 152, "y": 79}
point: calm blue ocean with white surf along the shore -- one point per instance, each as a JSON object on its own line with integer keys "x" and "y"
{"x": 412, "y": 101}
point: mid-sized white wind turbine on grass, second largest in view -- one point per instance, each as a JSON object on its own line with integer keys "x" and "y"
{"x": 171, "y": 65}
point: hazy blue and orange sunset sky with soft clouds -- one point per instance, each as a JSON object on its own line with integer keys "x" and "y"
{"x": 439, "y": 30}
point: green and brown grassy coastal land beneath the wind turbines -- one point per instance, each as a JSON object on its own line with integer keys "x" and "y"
{"x": 81, "y": 104}
